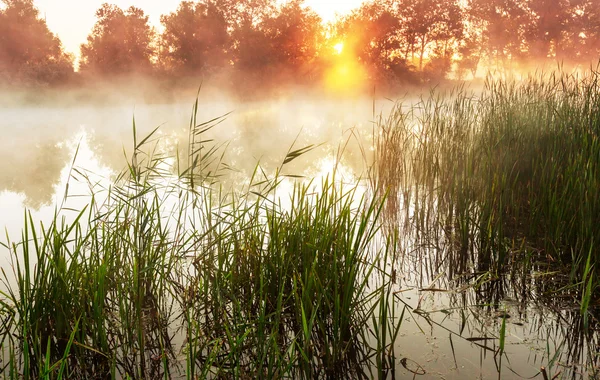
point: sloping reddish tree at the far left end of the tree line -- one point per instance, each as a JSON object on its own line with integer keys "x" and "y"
{"x": 29, "y": 52}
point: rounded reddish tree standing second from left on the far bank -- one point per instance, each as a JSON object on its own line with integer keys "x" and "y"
{"x": 121, "y": 42}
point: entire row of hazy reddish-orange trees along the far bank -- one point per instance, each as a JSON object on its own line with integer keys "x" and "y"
{"x": 263, "y": 42}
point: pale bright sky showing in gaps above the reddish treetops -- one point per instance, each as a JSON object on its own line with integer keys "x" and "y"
{"x": 72, "y": 20}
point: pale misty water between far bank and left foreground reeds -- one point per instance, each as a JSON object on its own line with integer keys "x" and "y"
{"x": 42, "y": 139}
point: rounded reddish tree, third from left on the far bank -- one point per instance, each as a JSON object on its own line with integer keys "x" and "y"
{"x": 195, "y": 38}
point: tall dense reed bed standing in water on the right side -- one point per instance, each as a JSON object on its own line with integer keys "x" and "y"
{"x": 501, "y": 181}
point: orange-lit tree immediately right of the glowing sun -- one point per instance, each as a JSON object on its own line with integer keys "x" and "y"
{"x": 390, "y": 37}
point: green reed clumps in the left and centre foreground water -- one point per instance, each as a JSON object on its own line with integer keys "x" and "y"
{"x": 167, "y": 275}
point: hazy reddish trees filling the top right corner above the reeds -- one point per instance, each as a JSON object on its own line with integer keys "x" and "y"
{"x": 509, "y": 33}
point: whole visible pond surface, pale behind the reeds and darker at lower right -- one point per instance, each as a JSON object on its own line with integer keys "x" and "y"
{"x": 454, "y": 313}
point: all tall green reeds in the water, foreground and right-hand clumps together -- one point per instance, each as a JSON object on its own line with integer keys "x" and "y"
{"x": 166, "y": 274}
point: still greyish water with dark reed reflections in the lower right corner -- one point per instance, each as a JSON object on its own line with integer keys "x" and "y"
{"x": 454, "y": 331}
